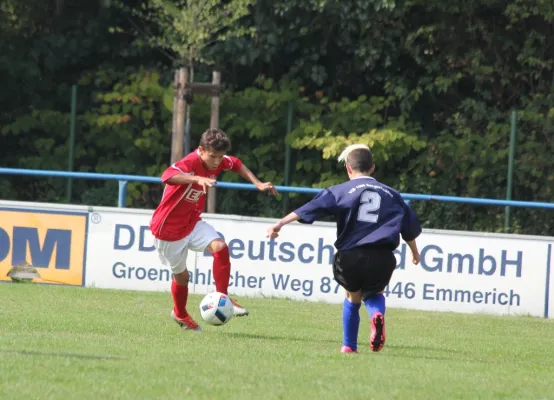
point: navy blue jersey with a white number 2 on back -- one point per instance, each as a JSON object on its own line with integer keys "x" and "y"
{"x": 367, "y": 213}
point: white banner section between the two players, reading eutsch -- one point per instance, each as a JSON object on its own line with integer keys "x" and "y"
{"x": 297, "y": 265}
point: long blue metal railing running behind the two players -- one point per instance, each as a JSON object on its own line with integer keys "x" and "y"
{"x": 125, "y": 179}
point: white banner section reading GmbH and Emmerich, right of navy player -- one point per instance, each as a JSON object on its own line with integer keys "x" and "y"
{"x": 472, "y": 273}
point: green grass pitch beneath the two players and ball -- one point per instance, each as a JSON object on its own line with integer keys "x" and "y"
{"x": 76, "y": 343}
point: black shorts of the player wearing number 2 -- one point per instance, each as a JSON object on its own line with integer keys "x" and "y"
{"x": 368, "y": 269}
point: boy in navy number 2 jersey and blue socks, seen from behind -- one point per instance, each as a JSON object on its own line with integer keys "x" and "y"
{"x": 370, "y": 218}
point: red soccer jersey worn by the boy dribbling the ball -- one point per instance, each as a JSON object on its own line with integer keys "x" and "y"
{"x": 181, "y": 205}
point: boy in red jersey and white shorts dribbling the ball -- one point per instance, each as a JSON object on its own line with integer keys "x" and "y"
{"x": 177, "y": 226}
